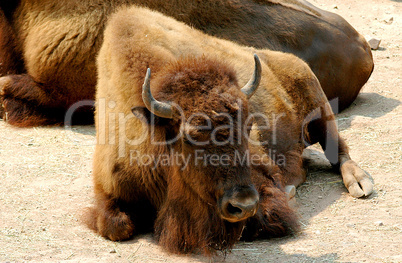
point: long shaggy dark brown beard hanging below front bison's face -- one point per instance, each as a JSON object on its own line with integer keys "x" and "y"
{"x": 186, "y": 223}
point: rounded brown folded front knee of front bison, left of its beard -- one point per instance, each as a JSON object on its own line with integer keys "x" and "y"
{"x": 116, "y": 227}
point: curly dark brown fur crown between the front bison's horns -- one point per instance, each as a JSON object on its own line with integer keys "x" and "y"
{"x": 204, "y": 83}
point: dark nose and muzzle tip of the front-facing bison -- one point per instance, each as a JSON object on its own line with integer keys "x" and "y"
{"x": 240, "y": 204}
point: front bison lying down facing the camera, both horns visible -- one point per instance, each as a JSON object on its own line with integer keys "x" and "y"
{"x": 194, "y": 150}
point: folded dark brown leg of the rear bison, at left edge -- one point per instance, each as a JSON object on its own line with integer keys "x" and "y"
{"x": 26, "y": 103}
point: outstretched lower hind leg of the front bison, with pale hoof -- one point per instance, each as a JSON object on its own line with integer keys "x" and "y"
{"x": 324, "y": 131}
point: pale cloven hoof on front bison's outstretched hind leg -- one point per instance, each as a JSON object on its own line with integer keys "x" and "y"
{"x": 357, "y": 181}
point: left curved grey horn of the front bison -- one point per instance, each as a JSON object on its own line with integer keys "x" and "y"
{"x": 158, "y": 108}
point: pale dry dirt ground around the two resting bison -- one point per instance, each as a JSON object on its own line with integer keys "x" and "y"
{"x": 45, "y": 180}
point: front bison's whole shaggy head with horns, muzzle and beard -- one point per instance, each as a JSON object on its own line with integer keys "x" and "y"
{"x": 205, "y": 118}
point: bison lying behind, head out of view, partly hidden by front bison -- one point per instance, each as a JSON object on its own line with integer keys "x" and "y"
{"x": 48, "y": 48}
